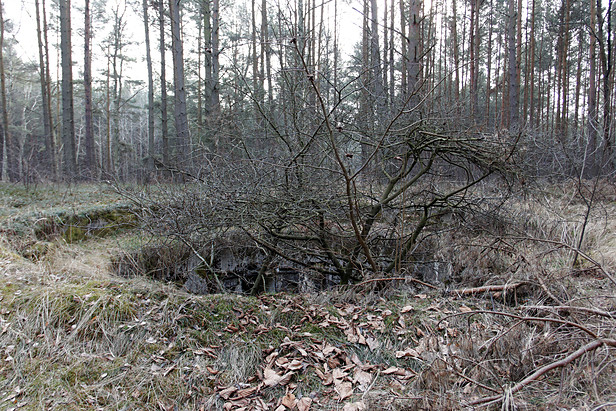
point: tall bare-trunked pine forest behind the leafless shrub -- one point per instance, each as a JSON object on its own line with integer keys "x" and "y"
{"x": 252, "y": 80}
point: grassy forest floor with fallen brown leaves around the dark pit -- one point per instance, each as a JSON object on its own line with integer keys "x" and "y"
{"x": 75, "y": 336}
